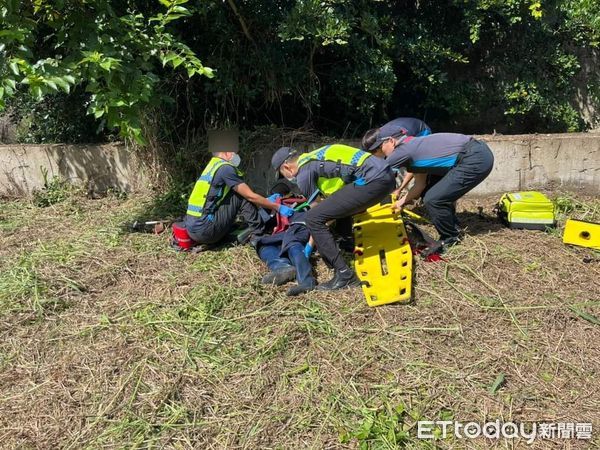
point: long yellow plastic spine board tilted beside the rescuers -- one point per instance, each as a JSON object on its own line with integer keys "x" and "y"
{"x": 383, "y": 257}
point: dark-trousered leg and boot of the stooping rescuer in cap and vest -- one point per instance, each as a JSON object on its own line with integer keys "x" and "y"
{"x": 350, "y": 200}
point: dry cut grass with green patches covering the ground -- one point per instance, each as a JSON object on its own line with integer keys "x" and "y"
{"x": 110, "y": 339}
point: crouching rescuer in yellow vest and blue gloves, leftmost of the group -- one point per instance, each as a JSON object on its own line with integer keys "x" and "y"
{"x": 219, "y": 195}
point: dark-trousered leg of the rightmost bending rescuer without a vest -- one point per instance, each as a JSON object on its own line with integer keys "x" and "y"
{"x": 440, "y": 199}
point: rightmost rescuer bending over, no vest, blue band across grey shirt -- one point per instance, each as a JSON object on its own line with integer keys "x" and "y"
{"x": 461, "y": 162}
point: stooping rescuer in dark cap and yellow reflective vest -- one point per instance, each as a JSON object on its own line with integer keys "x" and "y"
{"x": 351, "y": 181}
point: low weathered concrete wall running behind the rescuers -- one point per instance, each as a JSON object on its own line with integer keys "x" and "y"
{"x": 522, "y": 162}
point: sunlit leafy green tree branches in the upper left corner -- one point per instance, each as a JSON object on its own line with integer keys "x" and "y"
{"x": 113, "y": 48}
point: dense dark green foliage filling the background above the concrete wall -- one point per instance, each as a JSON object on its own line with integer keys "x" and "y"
{"x": 337, "y": 65}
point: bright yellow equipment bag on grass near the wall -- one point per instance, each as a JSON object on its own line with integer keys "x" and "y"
{"x": 530, "y": 210}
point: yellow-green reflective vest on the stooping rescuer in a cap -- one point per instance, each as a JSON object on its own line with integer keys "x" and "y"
{"x": 344, "y": 156}
